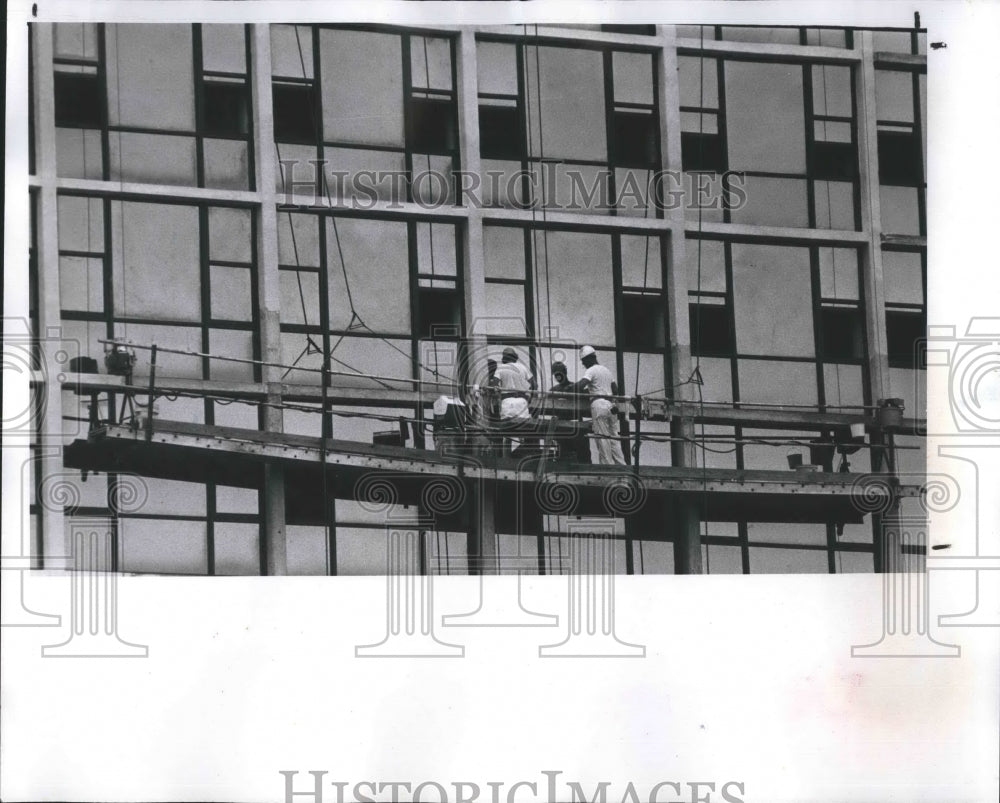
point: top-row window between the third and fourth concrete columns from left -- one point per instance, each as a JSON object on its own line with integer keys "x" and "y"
{"x": 589, "y": 113}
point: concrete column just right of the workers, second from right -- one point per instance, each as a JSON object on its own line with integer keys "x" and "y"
{"x": 686, "y": 523}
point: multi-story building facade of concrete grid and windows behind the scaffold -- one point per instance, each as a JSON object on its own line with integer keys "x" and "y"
{"x": 323, "y": 228}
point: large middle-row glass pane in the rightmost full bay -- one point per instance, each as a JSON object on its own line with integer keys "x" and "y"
{"x": 775, "y": 278}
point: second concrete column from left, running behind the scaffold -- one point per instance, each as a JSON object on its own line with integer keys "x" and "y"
{"x": 273, "y": 519}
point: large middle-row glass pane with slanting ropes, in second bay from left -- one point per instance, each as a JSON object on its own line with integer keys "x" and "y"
{"x": 376, "y": 260}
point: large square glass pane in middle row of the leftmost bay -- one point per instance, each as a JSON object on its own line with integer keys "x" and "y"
{"x": 156, "y": 246}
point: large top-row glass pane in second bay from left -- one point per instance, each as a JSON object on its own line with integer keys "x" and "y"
{"x": 363, "y": 87}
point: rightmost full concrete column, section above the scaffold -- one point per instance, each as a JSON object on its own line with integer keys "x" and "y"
{"x": 871, "y": 219}
